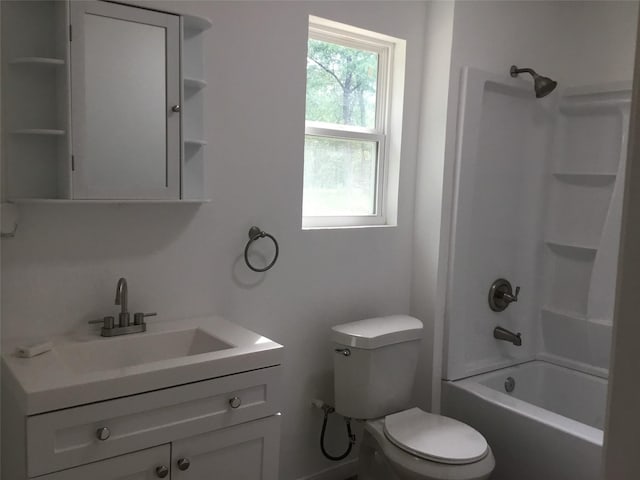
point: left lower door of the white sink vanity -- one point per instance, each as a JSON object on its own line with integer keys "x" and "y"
{"x": 141, "y": 465}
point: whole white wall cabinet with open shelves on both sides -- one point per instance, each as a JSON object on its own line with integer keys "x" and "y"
{"x": 102, "y": 101}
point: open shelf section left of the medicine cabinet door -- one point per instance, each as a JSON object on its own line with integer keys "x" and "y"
{"x": 35, "y": 99}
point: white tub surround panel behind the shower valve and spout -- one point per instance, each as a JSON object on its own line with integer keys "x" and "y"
{"x": 499, "y": 187}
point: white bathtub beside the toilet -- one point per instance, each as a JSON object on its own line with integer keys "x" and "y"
{"x": 550, "y": 427}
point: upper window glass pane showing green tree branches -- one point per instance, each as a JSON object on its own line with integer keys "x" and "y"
{"x": 341, "y": 84}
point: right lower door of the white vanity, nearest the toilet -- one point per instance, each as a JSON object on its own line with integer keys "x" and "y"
{"x": 248, "y": 451}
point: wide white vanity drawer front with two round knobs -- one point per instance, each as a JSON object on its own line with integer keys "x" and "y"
{"x": 69, "y": 437}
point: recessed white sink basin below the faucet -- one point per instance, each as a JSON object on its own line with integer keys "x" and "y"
{"x": 137, "y": 349}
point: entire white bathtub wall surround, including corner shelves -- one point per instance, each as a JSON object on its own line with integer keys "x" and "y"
{"x": 563, "y": 250}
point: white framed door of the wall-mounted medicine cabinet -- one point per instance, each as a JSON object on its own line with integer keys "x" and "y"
{"x": 125, "y": 95}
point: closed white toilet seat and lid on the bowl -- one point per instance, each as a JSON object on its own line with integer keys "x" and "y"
{"x": 435, "y": 438}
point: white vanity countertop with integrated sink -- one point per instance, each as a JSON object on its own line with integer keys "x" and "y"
{"x": 67, "y": 375}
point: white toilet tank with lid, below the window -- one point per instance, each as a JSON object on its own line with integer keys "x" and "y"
{"x": 374, "y": 365}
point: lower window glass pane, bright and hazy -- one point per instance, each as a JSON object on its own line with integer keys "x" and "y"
{"x": 339, "y": 177}
